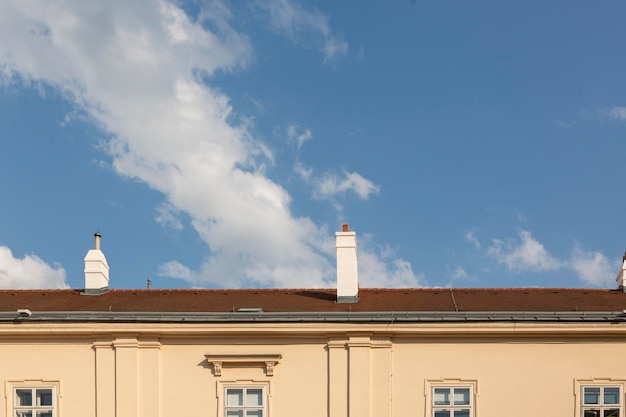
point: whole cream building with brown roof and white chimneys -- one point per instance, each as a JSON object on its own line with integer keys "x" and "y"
{"x": 351, "y": 352}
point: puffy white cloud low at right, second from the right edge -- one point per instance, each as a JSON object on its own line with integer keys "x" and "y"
{"x": 526, "y": 255}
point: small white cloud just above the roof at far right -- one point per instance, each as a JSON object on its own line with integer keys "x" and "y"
{"x": 593, "y": 267}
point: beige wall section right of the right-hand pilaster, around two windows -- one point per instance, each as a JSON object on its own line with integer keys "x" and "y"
{"x": 511, "y": 374}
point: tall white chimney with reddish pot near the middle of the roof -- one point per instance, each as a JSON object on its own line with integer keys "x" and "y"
{"x": 347, "y": 269}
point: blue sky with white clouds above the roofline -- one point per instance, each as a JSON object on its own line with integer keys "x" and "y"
{"x": 221, "y": 144}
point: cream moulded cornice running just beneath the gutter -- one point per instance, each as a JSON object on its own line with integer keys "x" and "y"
{"x": 325, "y": 331}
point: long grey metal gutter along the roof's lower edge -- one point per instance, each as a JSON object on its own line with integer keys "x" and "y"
{"x": 314, "y": 317}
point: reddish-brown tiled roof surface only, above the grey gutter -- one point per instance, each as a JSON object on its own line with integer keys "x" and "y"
{"x": 318, "y": 300}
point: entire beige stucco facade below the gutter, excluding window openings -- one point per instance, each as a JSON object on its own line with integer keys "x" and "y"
{"x": 333, "y": 370}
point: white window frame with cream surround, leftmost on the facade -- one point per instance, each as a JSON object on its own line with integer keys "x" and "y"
{"x": 13, "y": 406}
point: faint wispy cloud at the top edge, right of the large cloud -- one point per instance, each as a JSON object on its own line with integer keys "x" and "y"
{"x": 294, "y": 21}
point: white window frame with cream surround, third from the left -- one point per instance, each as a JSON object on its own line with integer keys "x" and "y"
{"x": 450, "y": 383}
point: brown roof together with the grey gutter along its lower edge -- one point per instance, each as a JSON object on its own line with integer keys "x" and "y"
{"x": 411, "y": 304}
